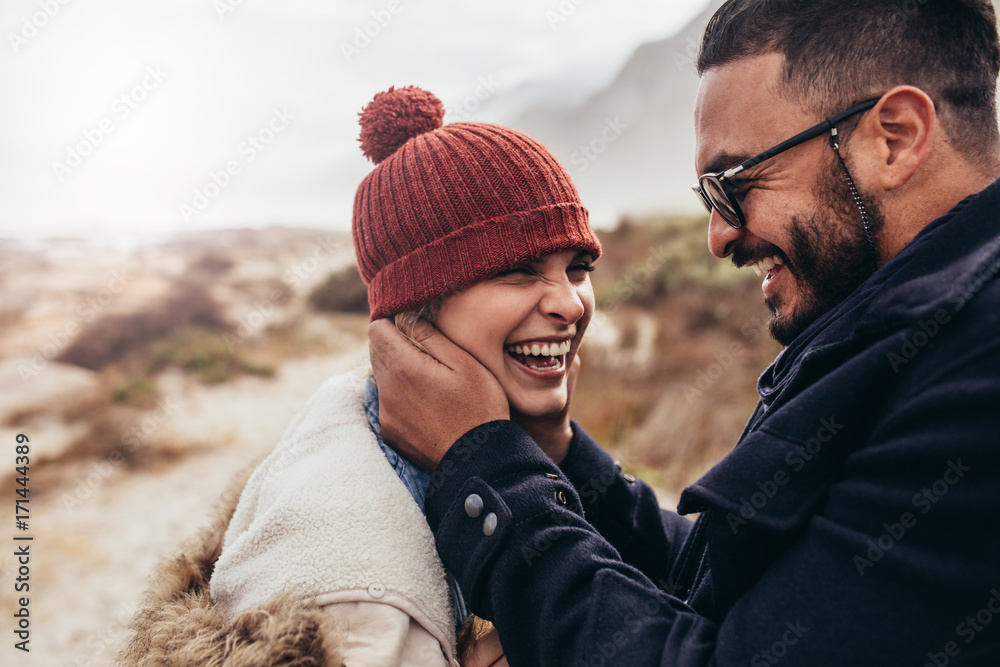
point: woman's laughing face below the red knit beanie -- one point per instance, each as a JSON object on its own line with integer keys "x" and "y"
{"x": 525, "y": 325}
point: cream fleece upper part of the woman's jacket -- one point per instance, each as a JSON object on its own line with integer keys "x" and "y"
{"x": 325, "y": 515}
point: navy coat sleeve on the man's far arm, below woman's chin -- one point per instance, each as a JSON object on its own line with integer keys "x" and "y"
{"x": 624, "y": 510}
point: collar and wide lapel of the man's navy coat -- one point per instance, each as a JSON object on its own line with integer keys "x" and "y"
{"x": 780, "y": 471}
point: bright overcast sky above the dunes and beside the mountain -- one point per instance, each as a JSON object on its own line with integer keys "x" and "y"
{"x": 137, "y": 117}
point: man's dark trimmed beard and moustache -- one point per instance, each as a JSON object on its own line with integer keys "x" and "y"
{"x": 829, "y": 255}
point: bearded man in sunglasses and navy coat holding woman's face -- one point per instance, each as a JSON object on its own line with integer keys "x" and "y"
{"x": 857, "y": 521}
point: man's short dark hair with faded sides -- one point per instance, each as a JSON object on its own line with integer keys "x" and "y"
{"x": 840, "y": 52}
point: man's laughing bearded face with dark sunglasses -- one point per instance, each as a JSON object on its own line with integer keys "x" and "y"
{"x": 803, "y": 233}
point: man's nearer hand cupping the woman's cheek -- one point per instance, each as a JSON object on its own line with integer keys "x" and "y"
{"x": 428, "y": 400}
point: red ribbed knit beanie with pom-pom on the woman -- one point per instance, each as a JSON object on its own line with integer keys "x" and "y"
{"x": 448, "y": 206}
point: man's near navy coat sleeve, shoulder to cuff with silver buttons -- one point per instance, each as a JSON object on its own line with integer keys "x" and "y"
{"x": 850, "y": 588}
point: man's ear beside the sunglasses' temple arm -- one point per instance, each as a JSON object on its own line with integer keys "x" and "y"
{"x": 901, "y": 129}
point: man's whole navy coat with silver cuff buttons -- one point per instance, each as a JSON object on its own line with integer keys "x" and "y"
{"x": 857, "y": 521}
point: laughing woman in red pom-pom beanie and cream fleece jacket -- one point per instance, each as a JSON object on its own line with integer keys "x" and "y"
{"x": 326, "y": 555}
